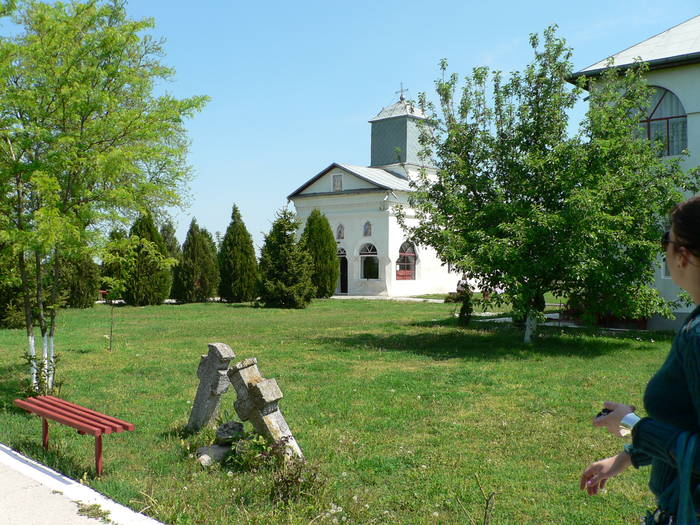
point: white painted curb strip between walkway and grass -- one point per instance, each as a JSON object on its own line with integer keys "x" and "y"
{"x": 71, "y": 489}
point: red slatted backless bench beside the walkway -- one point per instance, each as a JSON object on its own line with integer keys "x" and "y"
{"x": 84, "y": 420}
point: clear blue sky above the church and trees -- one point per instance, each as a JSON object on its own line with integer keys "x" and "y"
{"x": 293, "y": 84}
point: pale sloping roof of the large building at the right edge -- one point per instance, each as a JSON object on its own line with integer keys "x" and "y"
{"x": 675, "y": 46}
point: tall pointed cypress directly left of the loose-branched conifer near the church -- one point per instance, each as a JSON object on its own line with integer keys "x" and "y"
{"x": 237, "y": 264}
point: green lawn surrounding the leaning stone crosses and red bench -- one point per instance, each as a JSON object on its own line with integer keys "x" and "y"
{"x": 406, "y": 417}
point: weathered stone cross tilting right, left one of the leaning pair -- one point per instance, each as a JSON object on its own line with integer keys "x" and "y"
{"x": 213, "y": 383}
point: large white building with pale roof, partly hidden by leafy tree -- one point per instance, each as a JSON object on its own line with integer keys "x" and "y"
{"x": 674, "y": 70}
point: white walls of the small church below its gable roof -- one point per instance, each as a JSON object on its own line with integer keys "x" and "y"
{"x": 353, "y": 211}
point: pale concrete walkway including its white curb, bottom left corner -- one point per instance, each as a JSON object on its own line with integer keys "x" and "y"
{"x": 32, "y": 494}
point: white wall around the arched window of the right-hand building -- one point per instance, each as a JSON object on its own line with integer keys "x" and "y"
{"x": 683, "y": 82}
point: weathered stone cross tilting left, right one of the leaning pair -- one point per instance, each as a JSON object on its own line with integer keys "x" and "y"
{"x": 257, "y": 402}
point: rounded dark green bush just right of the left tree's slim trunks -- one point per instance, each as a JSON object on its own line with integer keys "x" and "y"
{"x": 80, "y": 278}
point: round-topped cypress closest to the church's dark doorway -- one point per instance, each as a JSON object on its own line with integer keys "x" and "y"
{"x": 319, "y": 241}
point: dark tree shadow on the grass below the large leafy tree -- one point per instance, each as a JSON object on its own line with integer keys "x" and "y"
{"x": 488, "y": 342}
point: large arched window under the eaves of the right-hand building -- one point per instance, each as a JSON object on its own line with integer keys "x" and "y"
{"x": 667, "y": 122}
